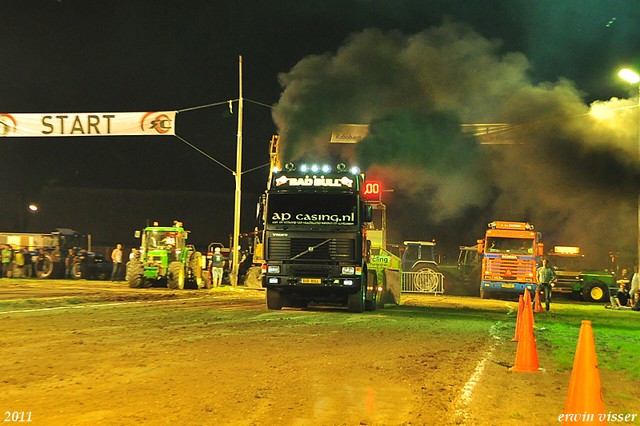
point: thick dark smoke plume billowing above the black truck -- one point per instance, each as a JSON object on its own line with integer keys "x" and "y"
{"x": 569, "y": 168}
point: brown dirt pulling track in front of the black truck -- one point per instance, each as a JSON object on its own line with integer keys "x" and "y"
{"x": 96, "y": 353}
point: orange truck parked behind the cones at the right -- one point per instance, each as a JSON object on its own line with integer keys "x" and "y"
{"x": 510, "y": 255}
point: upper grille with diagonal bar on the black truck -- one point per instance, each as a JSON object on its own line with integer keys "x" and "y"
{"x": 283, "y": 248}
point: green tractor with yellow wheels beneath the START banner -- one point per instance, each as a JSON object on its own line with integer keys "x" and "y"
{"x": 165, "y": 257}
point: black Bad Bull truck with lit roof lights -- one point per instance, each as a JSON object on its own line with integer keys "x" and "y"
{"x": 315, "y": 245}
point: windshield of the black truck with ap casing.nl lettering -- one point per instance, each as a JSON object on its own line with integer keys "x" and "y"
{"x": 312, "y": 209}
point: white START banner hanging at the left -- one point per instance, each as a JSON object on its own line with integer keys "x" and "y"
{"x": 88, "y": 124}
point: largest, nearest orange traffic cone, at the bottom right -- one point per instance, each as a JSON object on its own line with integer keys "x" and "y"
{"x": 584, "y": 400}
